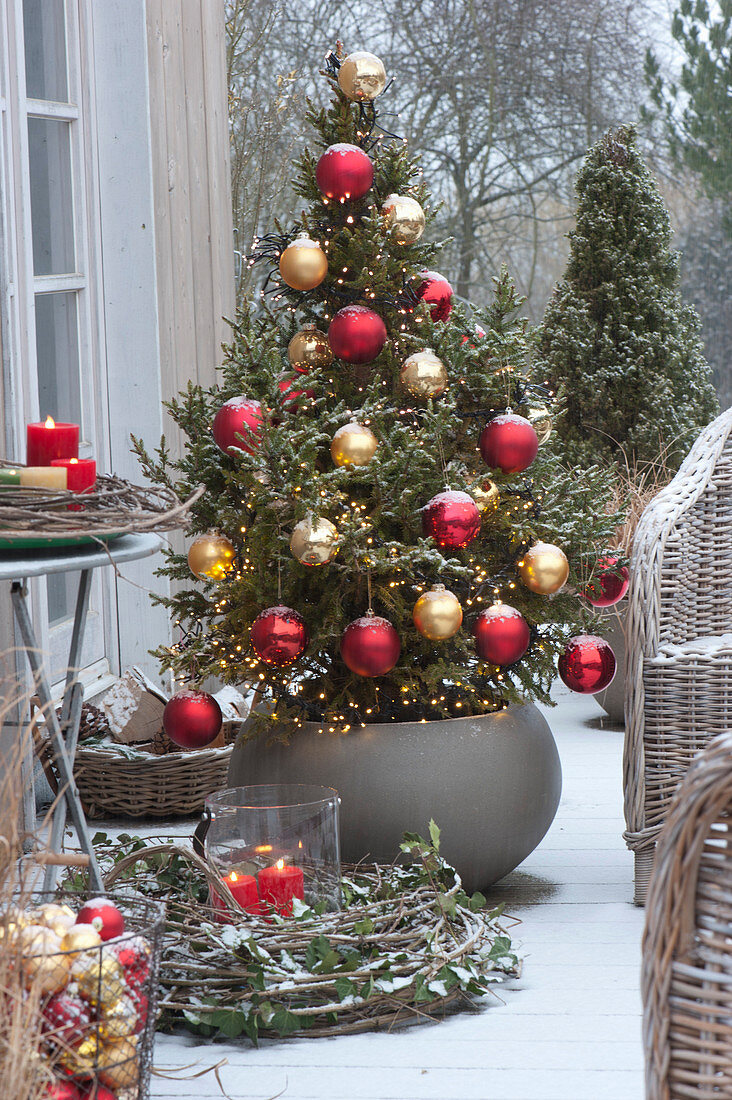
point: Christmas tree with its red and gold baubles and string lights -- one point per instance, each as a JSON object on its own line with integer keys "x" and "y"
{"x": 368, "y": 441}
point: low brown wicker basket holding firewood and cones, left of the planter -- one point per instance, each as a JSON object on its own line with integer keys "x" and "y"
{"x": 176, "y": 785}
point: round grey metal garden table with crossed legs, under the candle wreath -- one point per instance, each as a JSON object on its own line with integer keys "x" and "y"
{"x": 17, "y": 567}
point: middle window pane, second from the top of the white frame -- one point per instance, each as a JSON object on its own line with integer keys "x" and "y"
{"x": 52, "y": 208}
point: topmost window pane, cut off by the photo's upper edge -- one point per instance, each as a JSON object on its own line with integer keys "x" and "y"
{"x": 46, "y": 50}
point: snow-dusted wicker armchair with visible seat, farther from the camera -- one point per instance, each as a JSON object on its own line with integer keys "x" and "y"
{"x": 679, "y": 691}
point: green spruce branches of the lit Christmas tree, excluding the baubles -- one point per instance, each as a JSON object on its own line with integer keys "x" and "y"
{"x": 283, "y": 475}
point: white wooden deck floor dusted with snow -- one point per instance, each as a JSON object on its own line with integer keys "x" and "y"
{"x": 567, "y": 1030}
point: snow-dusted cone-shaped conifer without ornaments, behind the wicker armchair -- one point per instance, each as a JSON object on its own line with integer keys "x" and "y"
{"x": 617, "y": 340}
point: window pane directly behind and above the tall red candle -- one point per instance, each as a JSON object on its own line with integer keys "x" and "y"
{"x": 58, "y": 349}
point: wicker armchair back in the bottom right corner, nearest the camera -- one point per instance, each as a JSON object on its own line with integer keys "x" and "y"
{"x": 686, "y": 975}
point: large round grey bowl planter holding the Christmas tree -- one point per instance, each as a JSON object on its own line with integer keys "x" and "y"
{"x": 491, "y": 783}
